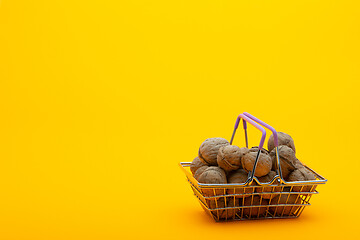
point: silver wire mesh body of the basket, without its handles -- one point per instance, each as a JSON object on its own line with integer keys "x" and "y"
{"x": 250, "y": 203}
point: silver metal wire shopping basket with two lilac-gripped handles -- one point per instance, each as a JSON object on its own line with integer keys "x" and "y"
{"x": 253, "y": 199}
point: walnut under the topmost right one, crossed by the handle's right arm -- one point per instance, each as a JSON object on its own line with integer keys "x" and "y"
{"x": 287, "y": 160}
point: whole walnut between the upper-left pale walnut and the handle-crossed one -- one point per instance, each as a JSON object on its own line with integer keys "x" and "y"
{"x": 229, "y": 157}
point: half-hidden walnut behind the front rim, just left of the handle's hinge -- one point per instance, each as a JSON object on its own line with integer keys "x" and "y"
{"x": 239, "y": 176}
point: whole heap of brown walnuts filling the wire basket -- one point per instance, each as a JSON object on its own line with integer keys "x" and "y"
{"x": 218, "y": 162}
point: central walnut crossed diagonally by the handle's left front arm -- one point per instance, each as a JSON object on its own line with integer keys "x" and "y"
{"x": 263, "y": 166}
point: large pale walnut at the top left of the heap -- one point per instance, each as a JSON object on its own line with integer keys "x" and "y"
{"x": 209, "y": 149}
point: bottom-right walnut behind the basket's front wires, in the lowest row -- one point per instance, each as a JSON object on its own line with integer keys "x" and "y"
{"x": 285, "y": 199}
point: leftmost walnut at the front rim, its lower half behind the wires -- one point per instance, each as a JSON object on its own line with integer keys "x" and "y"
{"x": 213, "y": 175}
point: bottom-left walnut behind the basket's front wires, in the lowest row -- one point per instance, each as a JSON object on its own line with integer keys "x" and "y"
{"x": 224, "y": 203}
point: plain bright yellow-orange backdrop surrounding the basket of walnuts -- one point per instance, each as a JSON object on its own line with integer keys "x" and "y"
{"x": 100, "y": 101}
